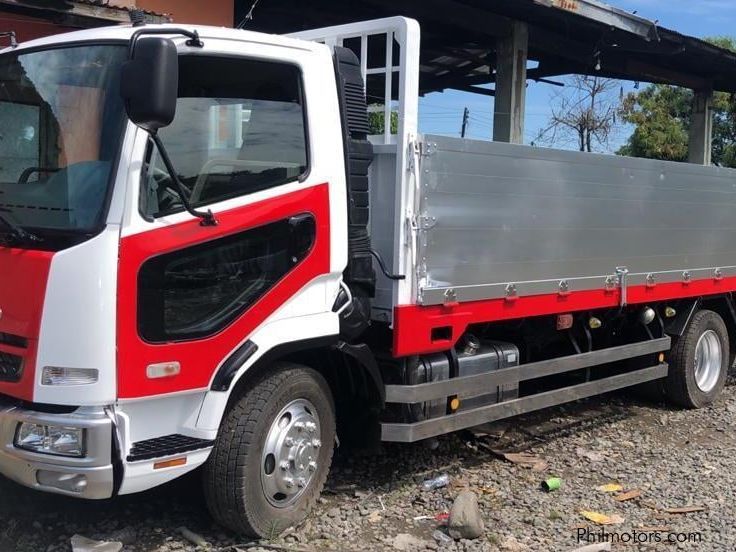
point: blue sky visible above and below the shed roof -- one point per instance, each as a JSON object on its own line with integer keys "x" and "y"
{"x": 442, "y": 113}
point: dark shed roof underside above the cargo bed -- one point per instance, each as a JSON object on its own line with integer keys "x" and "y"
{"x": 565, "y": 37}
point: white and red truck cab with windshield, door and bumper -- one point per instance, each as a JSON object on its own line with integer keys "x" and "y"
{"x": 124, "y": 319}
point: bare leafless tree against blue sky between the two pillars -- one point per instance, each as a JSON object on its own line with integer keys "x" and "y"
{"x": 584, "y": 113}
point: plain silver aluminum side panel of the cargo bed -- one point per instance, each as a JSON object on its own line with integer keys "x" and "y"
{"x": 494, "y": 214}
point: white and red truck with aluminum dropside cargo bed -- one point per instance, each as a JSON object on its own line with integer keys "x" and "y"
{"x": 206, "y": 260}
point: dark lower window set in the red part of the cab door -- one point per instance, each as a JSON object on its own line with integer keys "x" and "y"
{"x": 198, "y": 291}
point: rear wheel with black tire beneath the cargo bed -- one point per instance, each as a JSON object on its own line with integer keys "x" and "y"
{"x": 699, "y": 362}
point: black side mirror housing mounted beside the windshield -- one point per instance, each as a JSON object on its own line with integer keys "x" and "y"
{"x": 150, "y": 82}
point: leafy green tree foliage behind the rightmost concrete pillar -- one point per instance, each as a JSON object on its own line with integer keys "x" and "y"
{"x": 661, "y": 118}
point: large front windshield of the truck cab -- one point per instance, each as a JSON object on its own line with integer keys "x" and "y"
{"x": 61, "y": 119}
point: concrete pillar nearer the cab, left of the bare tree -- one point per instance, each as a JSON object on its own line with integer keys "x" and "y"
{"x": 510, "y": 104}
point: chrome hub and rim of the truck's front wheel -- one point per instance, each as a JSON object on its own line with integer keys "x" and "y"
{"x": 291, "y": 453}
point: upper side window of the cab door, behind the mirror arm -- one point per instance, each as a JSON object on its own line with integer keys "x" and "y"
{"x": 239, "y": 128}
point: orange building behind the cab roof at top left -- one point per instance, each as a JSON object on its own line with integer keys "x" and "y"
{"x": 31, "y": 19}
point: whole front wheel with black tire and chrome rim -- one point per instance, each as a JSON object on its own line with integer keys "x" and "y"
{"x": 273, "y": 453}
